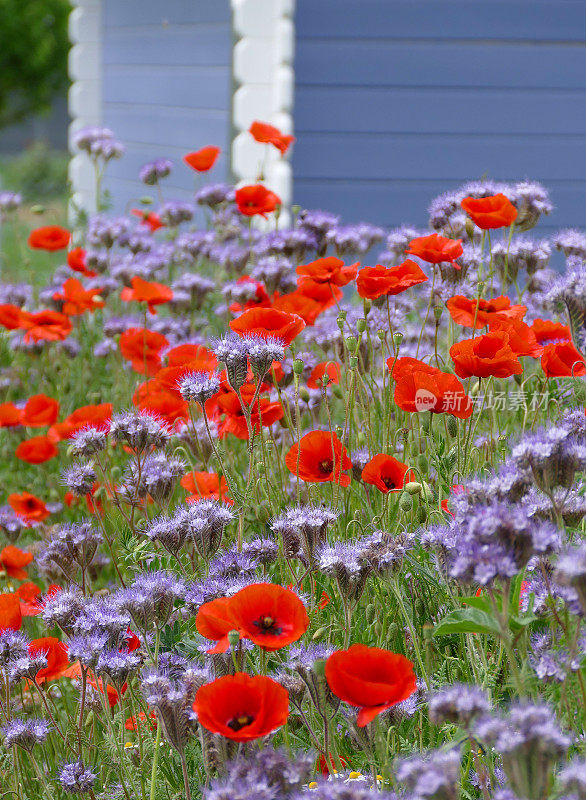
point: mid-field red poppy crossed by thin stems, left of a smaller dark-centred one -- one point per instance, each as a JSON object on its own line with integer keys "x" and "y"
{"x": 319, "y": 453}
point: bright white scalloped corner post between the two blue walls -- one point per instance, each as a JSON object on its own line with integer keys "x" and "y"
{"x": 264, "y": 88}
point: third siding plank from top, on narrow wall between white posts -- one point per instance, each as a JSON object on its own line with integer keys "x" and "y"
{"x": 193, "y": 87}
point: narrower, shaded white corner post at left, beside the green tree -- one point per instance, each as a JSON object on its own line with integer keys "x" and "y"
{"x": 85, "y": 94}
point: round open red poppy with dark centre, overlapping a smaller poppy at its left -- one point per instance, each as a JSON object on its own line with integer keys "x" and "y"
{"x": 269, "y": 615}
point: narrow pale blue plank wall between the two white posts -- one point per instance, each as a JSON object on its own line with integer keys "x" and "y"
{"x": 166, "y": 88}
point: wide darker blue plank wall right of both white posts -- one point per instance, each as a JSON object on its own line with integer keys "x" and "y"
{"x": 399, "y": 100}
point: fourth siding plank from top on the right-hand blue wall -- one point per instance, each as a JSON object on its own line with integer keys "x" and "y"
{"x": 447, "y": 158}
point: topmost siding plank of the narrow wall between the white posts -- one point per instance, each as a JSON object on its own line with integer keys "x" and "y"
{"x": 153, "y": 12}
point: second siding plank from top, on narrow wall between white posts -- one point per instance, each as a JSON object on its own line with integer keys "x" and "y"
{"x": 196, "y": 45}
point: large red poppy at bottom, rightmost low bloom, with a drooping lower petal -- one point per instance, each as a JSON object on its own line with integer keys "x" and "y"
{"x": 370, "y": 678}
